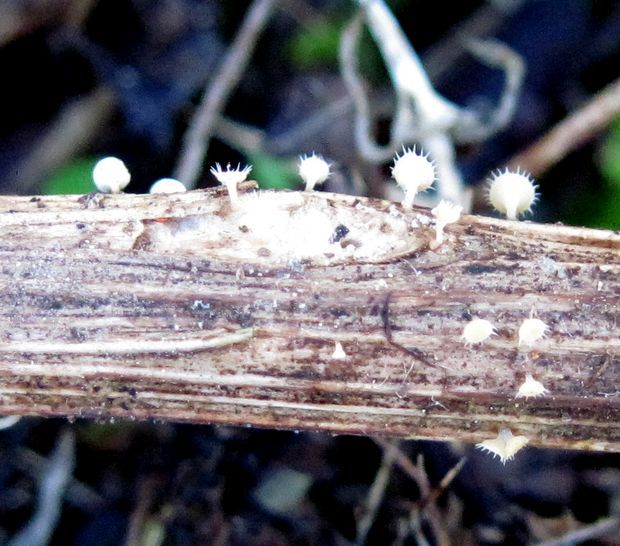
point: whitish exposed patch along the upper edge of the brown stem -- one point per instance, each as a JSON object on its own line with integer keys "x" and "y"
{"x": 292, "y": 227}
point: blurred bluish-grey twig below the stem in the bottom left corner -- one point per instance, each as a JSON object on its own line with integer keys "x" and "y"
{"x": 51, "y": 492}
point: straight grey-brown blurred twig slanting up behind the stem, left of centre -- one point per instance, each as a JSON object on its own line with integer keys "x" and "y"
{"x": 224, "y": 81}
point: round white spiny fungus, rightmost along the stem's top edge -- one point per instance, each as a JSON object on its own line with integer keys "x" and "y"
{"x": 512, "y": 193}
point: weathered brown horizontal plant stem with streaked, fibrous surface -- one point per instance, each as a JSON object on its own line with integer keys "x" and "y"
{"x": 181, "y": 308}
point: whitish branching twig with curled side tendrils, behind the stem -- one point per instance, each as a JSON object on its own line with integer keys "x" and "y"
{"x": 422, "y": 115}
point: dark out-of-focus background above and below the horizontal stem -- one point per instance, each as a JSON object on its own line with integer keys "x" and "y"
{"x": 84, "y": 79}
